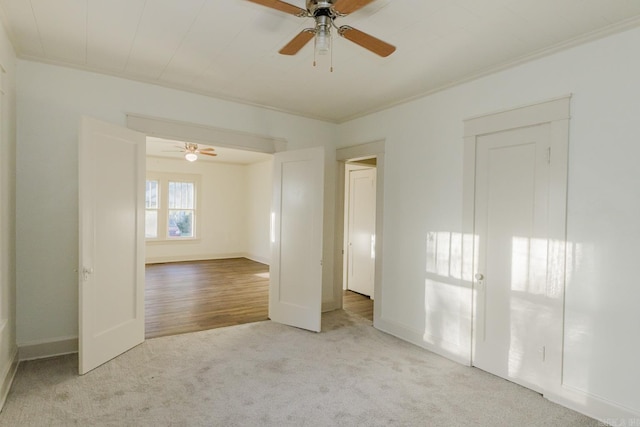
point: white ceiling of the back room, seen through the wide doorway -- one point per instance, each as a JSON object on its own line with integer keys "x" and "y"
{"x": 159, "y": 147}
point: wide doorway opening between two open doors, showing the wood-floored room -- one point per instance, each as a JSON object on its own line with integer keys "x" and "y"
{"x": 215, "y": 272}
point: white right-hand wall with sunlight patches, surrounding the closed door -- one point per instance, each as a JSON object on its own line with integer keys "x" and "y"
{"x": 423, "y": 189}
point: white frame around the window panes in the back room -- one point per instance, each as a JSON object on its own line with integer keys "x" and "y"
{"x": 163, "y": 179}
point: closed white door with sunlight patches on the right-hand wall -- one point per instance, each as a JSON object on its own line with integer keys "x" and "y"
{"x": 512, "y": 185}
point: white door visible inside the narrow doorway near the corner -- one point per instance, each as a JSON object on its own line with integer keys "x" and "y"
{"x": 361, "y": 231}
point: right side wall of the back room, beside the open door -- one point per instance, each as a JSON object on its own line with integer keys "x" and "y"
{"x": 259, "y": 189}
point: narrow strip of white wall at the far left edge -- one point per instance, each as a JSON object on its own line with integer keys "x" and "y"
{"x": 8, "y": 349}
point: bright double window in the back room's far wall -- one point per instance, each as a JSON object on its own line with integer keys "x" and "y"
{"x": 170, "y": 206}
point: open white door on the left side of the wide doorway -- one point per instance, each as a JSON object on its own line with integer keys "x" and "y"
{"x": 111, "y": 253}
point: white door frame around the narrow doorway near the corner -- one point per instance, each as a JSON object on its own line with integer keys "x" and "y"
{"x": 356, "y": 152}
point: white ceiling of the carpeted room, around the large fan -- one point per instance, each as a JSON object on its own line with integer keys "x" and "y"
{"x": 228, "y": 48}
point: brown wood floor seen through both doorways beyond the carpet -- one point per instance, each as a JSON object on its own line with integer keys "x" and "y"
{"x": 198, "y": 295}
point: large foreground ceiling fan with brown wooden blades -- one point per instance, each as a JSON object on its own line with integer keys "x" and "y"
{"x": 325, "y": 12}
